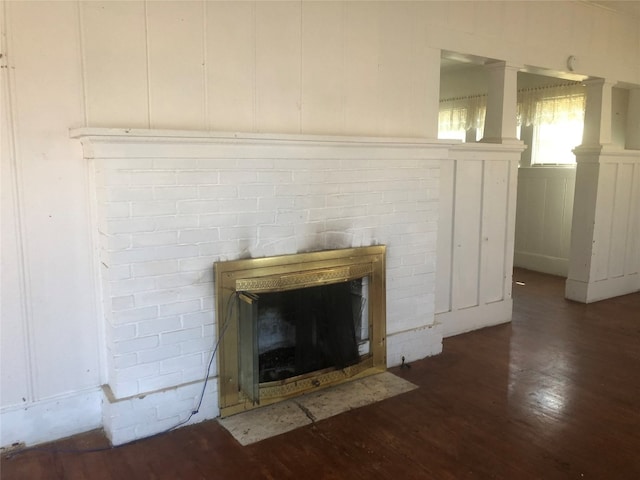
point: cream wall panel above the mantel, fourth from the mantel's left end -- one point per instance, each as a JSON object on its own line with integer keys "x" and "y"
{"x": 278, "y": 65}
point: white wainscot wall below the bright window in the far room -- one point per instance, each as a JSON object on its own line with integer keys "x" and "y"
{"x": 543, "y": 218}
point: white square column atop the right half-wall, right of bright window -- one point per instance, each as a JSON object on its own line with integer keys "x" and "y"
{"x": 597, "y": 113}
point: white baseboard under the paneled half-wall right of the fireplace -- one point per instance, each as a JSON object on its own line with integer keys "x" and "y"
{"x": 473, "y": 318}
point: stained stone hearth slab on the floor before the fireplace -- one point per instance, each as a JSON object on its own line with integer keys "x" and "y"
{"x": 262, "y": 423}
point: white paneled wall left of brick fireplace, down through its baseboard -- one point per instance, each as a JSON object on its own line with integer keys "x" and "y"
{"x": 50, "y": 327}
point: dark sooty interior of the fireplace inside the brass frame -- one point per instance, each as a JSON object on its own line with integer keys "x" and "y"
{"x": 309, "y": 329}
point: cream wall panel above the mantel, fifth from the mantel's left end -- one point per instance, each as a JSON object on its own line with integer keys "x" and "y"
{"x": 323, "y": 67}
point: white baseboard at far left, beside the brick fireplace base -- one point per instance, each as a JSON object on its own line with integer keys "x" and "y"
{"x": 51, "y": 419}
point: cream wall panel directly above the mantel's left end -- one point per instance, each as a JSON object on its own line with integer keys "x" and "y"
{"x": 115, "y": 62}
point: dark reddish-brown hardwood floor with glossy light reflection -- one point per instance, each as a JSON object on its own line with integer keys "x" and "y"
{"x": 553, "y": 395}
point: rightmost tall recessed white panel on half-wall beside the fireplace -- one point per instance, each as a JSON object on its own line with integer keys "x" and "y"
{"x": 494, "y": 230}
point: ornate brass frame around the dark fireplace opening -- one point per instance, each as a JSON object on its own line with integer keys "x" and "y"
{"x": 288, "y": 272}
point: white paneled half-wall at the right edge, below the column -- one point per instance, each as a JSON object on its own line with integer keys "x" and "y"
{"x": 605, "y": 237}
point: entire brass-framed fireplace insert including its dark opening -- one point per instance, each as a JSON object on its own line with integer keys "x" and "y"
{"x": 302, "y": 322}
